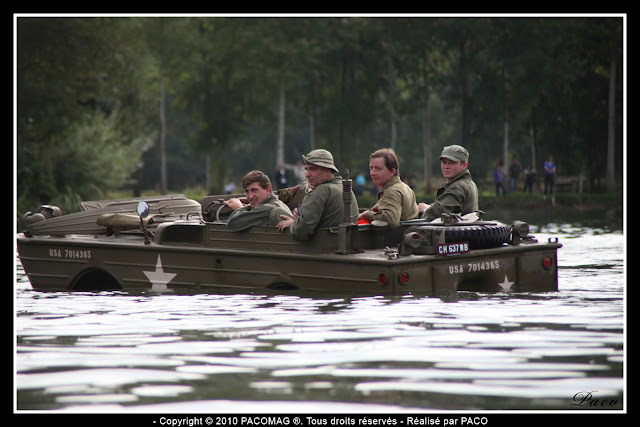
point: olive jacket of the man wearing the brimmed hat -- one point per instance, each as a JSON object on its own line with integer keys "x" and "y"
{"x": 323, "y": 207}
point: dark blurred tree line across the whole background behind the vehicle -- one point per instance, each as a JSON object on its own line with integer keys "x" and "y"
{"x": 169, "y": 102}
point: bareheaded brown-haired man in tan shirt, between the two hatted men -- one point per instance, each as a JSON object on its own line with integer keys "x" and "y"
{"x": 396, "y": 200}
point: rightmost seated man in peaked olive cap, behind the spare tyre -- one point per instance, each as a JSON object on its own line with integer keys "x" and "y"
{"x": 459, "y": 194}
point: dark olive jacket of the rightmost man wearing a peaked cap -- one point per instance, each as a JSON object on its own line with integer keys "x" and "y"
{"x": 458, "y": 196}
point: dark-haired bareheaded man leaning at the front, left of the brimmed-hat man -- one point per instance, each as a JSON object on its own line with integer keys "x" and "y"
{"x": 263, "y": 207}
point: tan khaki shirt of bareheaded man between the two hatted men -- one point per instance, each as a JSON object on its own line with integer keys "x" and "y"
{"x": 396, "y": 202}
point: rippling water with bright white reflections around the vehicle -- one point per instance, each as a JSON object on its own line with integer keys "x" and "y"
{"x": 119, "y": 351}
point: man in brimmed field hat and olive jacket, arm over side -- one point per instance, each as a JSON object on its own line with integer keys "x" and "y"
{"x": 322, "y": 206}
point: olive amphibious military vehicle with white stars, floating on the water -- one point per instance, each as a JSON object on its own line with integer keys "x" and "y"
{"x": 173, "y": 244}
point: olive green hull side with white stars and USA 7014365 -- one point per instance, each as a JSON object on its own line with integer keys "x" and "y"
{"x": 126, "y": 262}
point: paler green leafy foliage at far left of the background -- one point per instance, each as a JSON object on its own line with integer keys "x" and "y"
{"x": 84, "y": 109}
